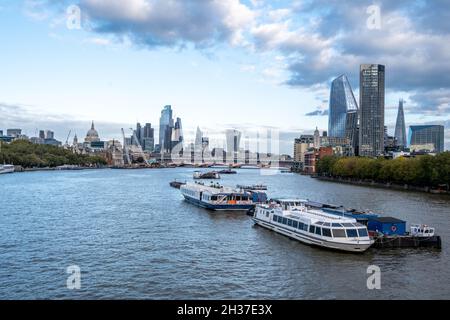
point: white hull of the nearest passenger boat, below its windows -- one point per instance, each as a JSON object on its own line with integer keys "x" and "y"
{"x": 312, "y": 240}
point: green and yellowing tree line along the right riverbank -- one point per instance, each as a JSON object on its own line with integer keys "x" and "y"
{"x": 423, "y": 170}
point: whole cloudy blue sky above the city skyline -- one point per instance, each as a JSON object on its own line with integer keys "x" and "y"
{"x": 221, "y": 64}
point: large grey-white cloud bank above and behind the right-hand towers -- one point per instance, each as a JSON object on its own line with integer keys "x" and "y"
{"x": 413, "y": 46}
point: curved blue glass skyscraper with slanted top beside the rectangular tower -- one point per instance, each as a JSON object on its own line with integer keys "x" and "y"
{"x": 342, "y": 101}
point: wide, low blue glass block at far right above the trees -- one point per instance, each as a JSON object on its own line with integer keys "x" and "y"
{"x": 426, "y": 138}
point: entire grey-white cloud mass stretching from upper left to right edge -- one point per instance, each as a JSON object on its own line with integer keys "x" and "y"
{"x": 316, "y": 40}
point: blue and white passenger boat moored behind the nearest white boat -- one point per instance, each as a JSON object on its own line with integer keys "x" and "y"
{"x": 217, "y": 197}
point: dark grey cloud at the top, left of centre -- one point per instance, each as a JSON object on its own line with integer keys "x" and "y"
{"x": 170, "y": 23}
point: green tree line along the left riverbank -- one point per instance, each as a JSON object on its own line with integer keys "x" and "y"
{"x": 29, "y": 155}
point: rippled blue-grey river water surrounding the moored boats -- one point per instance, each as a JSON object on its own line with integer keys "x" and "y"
{"x": 132, "y": 236}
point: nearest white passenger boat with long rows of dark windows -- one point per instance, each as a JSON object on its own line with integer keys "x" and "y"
{"x": 313, "y": 226}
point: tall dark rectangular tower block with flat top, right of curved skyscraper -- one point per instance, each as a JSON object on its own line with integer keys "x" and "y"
{"x": 371, "y": 103}
